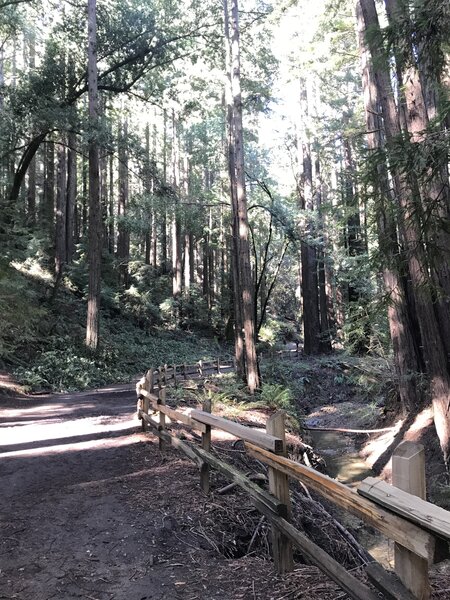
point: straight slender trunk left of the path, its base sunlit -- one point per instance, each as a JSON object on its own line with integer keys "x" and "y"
{"x": 95, "y": 215}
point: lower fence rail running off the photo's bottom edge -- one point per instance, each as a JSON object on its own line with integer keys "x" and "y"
{"x": 347, "y": 582}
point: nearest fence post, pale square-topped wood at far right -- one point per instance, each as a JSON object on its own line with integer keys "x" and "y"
{"x": 408, "y": 474}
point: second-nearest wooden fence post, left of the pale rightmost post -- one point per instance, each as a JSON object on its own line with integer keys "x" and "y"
{"x": 279, "y": 487}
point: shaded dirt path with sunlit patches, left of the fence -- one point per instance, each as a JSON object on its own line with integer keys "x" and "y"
{"x": 89, "y": 508}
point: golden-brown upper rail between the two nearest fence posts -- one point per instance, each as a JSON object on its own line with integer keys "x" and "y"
{"x": 392, "y": 526}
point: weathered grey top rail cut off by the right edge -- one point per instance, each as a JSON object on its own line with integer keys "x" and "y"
{"x": 426, "y": 515}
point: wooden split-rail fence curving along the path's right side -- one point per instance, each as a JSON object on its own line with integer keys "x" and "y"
{"x": 420, "y": 530}
